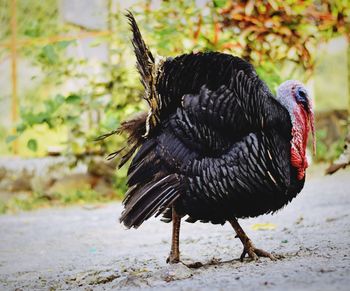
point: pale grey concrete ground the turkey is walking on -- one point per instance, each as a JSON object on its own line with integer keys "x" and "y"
{"x": 85, "y": 248}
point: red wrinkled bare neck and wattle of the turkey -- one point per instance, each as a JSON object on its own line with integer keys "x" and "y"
{"x": 300, "y": 132}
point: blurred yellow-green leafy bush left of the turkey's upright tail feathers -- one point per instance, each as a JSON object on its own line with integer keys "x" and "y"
{"x": 96, "y": 106}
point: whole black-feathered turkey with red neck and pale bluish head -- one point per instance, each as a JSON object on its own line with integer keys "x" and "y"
{"x": 216, "y": 144}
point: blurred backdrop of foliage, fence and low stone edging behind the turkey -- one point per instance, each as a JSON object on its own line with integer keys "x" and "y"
{"x": 68, "y": 75}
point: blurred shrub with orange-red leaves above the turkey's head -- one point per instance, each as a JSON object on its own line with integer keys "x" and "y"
{"x": 280, "y": 31}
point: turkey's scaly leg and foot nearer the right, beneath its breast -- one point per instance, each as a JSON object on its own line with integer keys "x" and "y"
{"x": 248, "y": 246}
